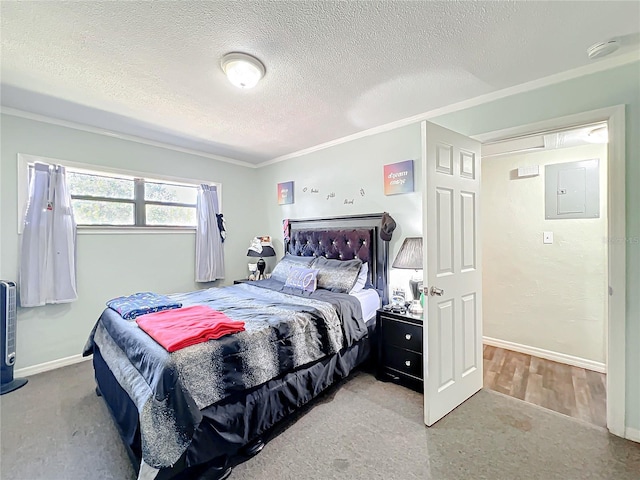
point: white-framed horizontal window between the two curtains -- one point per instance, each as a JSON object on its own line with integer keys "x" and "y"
{"x": 108, "y": 199}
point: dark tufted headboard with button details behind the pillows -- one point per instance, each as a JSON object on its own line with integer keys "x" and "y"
{"x": 344, "y": 238}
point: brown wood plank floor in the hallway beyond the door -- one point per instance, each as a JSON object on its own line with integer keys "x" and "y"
{"x": 566, "y": 389}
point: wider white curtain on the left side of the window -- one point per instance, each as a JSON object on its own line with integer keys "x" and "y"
{"x": 48, "y": 253}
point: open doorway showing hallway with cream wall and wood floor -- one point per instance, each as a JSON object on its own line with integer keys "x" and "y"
{"x": 544, "y": 217}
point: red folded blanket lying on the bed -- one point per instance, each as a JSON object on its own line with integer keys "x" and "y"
{"x": 183, "y": 327}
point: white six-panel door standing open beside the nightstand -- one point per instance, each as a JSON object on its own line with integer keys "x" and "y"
{"x": 452, "y": 273}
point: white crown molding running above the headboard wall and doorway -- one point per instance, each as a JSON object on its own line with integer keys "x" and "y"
{"x": 605, "y": 64}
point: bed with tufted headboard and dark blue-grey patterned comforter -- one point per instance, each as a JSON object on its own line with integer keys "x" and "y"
{"x": 197, "y": 412}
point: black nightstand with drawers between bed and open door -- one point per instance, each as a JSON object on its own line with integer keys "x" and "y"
{"x": 400, "y": 348}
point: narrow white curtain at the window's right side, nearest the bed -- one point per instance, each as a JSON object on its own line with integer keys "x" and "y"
{"x": 209, "y": 253}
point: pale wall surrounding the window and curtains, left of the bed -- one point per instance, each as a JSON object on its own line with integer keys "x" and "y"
{"x": 113, "y": 264}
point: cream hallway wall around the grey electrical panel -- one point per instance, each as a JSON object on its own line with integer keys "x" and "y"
{"x": 551, "y": 297}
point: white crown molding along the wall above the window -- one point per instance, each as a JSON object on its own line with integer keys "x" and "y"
{"x": 14, "y": 112}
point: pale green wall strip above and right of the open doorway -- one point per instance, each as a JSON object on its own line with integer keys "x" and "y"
{"x": 604, "y": 89}
